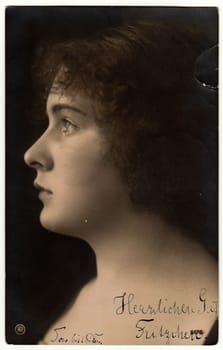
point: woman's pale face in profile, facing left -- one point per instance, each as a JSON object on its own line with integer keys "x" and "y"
{"x": 78, "y": 188}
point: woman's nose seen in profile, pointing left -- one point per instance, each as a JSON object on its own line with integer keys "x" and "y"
{"x": 38, "y": 155}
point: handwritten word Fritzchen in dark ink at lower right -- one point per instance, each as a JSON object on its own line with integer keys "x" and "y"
{"x": 143, "y": 331}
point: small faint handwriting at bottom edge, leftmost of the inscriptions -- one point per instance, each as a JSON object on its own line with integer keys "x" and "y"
{"x": 76, "y": 338}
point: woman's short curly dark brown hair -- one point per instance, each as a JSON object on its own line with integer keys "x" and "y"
{"x": 142, "y": 76}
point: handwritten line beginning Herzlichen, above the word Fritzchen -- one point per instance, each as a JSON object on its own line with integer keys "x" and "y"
{"x": 126, "y": 305}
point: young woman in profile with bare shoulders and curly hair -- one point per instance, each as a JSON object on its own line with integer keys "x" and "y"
{"x": 114, "y": 167}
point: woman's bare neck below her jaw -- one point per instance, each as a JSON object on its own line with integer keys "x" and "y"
{"x": 134, "y": 240}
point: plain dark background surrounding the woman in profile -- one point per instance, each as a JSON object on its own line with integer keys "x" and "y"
{"x": 45, "y": 270}
